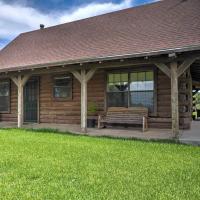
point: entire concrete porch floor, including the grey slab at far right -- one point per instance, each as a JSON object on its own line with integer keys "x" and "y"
{"x": 186, "y": 136}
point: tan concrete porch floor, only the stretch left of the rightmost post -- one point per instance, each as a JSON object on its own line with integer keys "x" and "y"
{"x": 112, "y": 132}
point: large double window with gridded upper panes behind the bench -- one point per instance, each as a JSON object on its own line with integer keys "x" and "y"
{"x": 131, "y": 89}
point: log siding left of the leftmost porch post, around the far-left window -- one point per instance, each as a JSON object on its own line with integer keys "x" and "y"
{"x": 12, "y": 115}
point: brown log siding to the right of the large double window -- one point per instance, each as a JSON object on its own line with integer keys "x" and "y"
{"x": 163, "y": 118}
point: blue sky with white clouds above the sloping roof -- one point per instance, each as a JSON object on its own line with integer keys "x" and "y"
{"x": 17, "y": 16}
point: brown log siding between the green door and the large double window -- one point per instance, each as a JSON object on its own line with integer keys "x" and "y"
{"x": 52, "y": 111}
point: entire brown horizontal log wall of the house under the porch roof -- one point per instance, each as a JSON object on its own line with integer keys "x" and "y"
{"x": 52, "y": 111}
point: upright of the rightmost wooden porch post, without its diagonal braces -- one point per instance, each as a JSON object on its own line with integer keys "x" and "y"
{"x": 174, "y": 99}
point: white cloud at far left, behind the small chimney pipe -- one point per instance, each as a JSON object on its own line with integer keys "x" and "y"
{"x": 17, "y": 18}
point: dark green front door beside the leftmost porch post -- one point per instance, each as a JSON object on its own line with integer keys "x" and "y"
{"x": 31, "y": 100}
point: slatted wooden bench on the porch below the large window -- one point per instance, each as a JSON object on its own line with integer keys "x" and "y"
{"x": 122, "y": 115}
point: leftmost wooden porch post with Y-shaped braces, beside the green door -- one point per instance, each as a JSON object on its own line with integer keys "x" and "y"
{"x": 20, "y": 81}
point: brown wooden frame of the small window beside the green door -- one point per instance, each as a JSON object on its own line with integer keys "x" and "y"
{"x": 71, "y": 86}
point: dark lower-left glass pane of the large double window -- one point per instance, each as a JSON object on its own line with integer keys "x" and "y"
{"x": 117, "y": 99}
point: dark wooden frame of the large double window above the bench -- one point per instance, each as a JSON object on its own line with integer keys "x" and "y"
{"x": 132, "y": 70}
